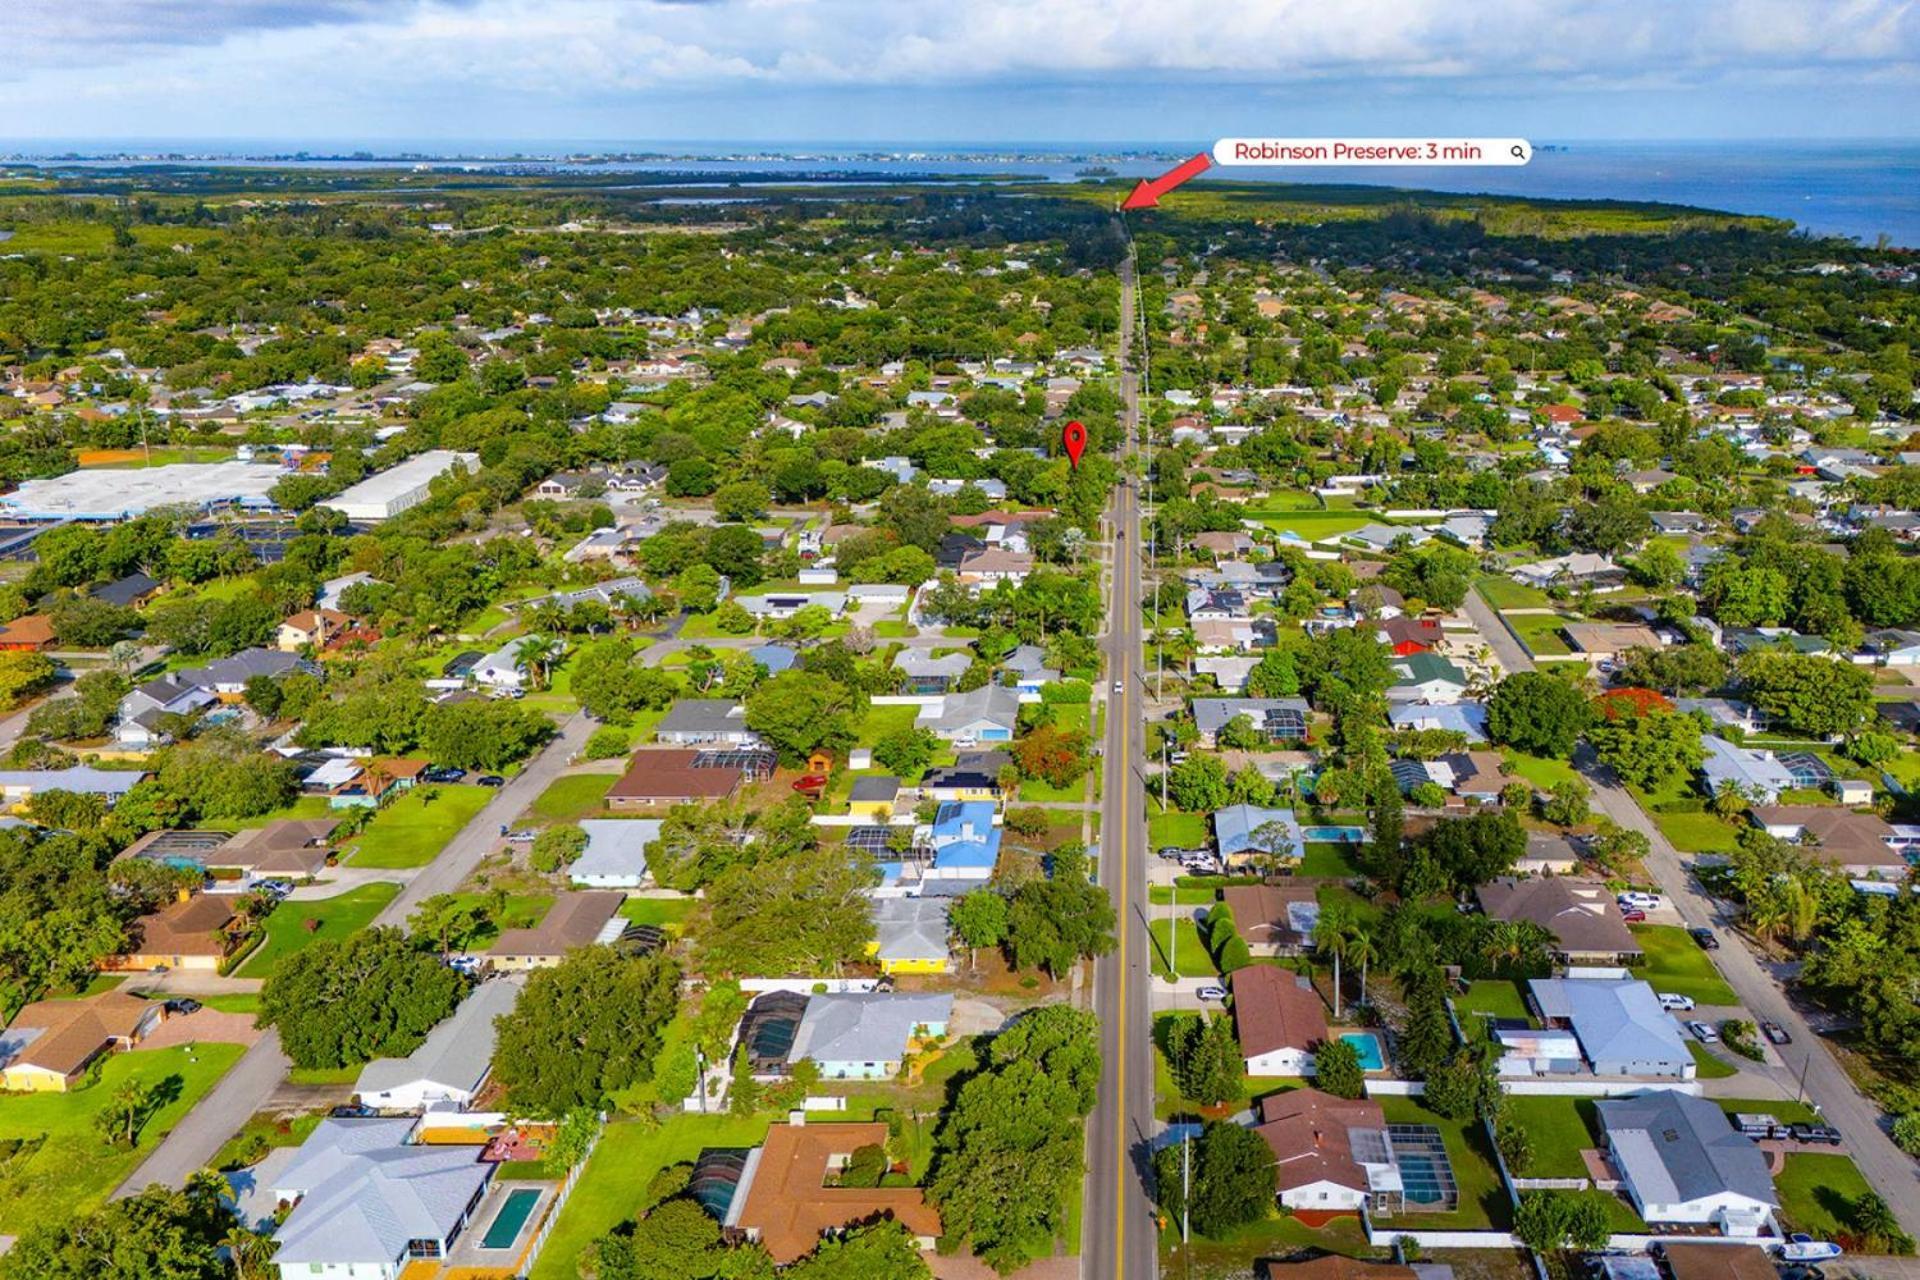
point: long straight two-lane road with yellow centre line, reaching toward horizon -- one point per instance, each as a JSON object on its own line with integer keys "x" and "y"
{"x": 1120, "y": 1235}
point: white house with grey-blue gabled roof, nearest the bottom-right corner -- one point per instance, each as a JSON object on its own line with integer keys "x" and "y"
{"x": 1683, "y": 1164}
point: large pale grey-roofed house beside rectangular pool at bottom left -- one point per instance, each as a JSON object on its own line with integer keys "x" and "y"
{"x": 368, "y": 1202}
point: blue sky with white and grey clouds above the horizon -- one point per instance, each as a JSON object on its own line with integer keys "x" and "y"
{"x": 986, "y": 72}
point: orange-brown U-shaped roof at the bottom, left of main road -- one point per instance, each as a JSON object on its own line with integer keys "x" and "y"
{"x": 790, "y": 1206}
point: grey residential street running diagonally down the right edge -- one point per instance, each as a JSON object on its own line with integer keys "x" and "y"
{"x": 1892, "y": 1172}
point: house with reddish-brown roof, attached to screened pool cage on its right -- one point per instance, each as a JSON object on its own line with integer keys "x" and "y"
{"x": 1332, "y": 1152}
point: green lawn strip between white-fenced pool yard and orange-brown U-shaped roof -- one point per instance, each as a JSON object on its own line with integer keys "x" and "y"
{"x": 615, "y": 1179}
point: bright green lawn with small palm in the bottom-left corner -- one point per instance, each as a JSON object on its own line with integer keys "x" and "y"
{"x": 59, "y": 1168}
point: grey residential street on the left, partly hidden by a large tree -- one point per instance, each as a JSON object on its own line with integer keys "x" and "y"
{"x": 262, "y": 1070}
